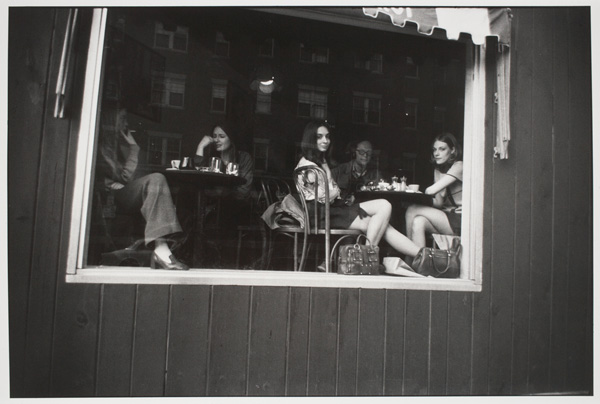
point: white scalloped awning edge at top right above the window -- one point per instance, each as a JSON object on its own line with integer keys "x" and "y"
{"x": 478, "y": 22}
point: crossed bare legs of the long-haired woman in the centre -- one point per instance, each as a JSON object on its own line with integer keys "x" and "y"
{"x": 376, "y": 226}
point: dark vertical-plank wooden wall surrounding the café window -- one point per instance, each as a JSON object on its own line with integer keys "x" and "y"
{"x": 528, "y": 331}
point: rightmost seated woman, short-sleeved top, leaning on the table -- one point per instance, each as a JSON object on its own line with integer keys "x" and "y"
{"x": 445, "y": 216}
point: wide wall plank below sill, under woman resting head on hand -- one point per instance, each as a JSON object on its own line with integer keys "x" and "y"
{"x": 228, "y": 341}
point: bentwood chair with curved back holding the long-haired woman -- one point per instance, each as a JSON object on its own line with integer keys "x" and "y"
{"x": 312, "y": 229}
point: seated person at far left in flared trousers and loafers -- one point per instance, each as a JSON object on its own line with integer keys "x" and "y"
{"x": 147, "y": 194}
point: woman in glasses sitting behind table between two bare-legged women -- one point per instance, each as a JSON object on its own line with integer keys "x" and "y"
{"x": 352, "y": 175}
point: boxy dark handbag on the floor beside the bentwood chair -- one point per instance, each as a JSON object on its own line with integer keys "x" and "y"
{"x": 358, "y": 259}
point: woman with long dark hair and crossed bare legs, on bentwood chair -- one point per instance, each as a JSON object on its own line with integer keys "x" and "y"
{"x": 370, "y": 217}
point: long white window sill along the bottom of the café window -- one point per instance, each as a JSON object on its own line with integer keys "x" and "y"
{"x": 137, "y": 275}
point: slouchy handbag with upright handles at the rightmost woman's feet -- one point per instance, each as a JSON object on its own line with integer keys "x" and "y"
{"x": 439, "y": 263}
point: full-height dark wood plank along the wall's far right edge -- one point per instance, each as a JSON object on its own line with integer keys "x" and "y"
{"x": 580, "y": 230}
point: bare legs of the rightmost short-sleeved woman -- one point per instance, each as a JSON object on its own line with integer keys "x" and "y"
{"x": 421, "y": 220}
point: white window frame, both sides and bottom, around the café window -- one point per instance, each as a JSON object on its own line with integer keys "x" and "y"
{"x": 473, "y": 185}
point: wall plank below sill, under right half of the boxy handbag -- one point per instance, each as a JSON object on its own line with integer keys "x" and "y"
{"x": 371, "y": 343}
